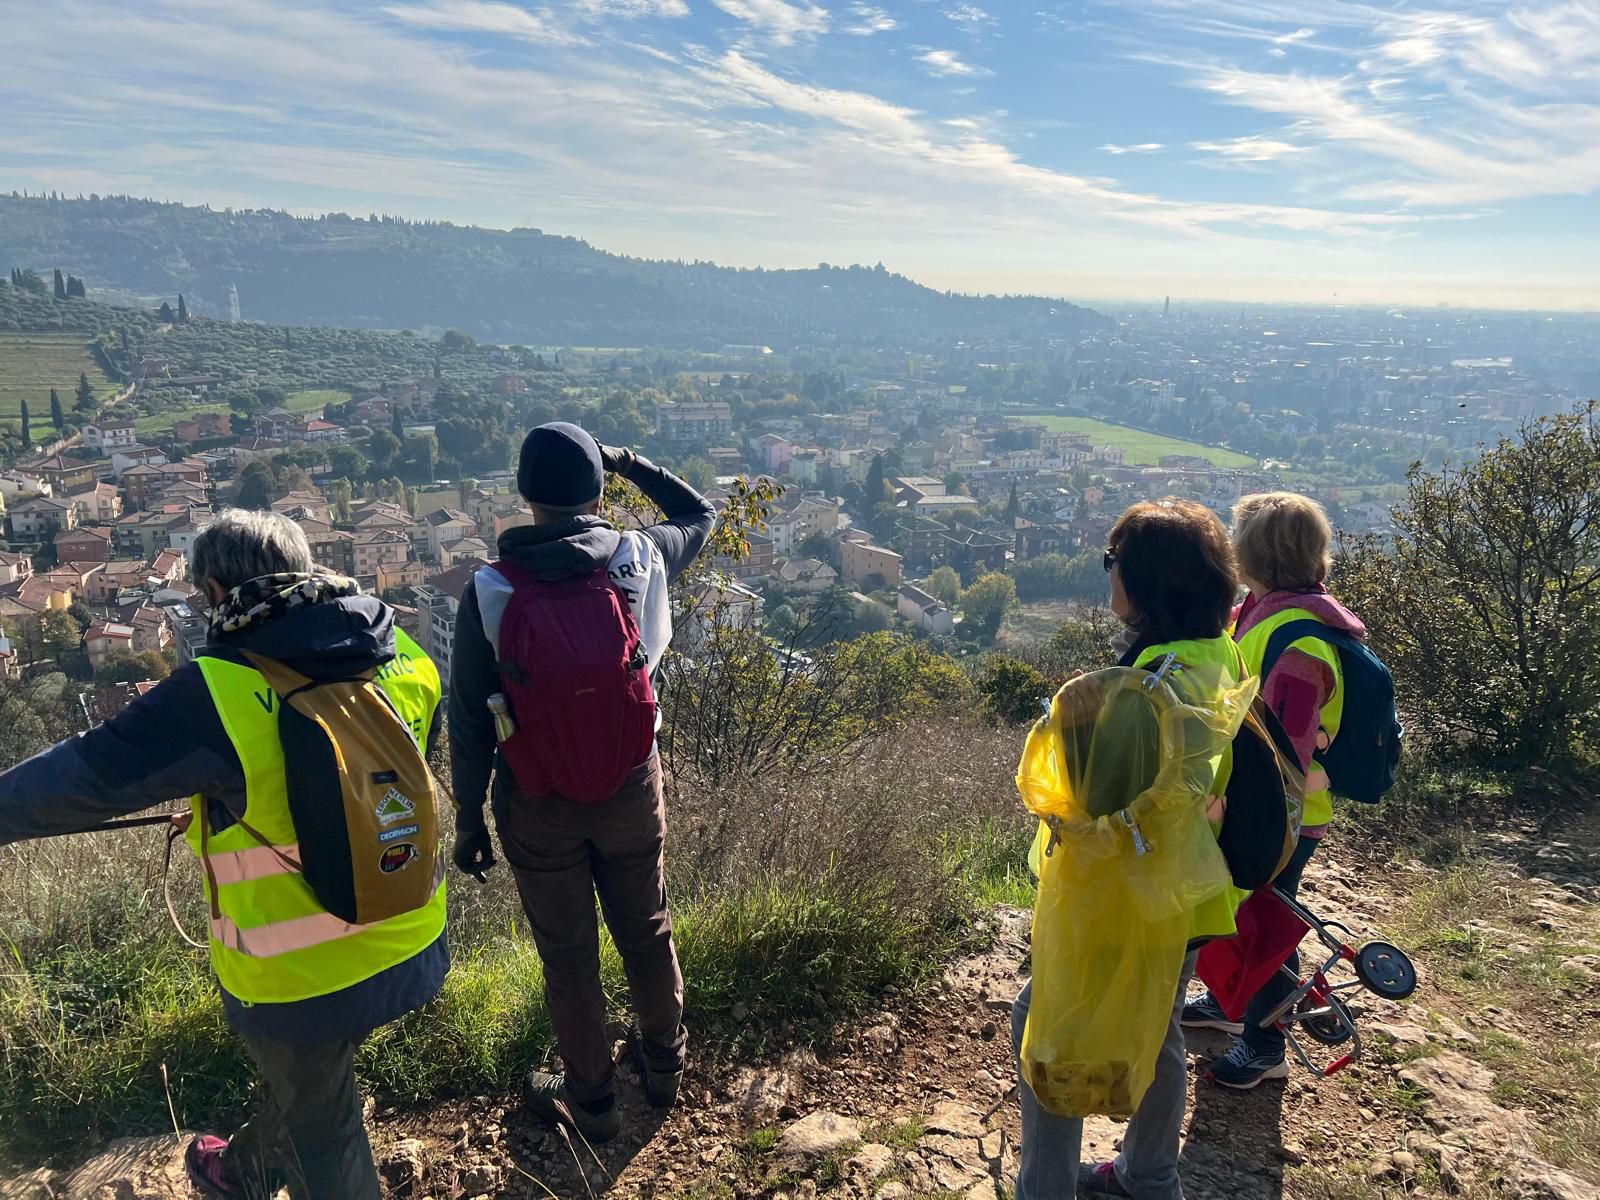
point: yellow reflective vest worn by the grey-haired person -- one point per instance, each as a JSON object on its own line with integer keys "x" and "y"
{"x": 270, "y": 938}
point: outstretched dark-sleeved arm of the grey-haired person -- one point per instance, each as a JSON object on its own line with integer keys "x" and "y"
{"x": 164, "y": 746}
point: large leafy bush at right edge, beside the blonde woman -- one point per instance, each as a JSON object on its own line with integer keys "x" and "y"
{"x": 1487, "y": 601}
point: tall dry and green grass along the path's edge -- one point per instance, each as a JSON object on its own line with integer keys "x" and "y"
{"x": 802, "y": 897}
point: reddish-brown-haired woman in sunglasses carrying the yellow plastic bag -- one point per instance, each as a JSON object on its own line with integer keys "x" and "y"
{"x": 1174, "y": 582}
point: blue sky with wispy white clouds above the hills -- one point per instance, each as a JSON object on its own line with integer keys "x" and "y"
{"x": 1234, "y": 150}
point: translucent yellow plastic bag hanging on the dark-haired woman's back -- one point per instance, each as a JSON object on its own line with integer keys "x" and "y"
{"x": 1119, "y": 775}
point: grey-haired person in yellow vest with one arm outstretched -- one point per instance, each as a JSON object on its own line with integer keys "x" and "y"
{"x": 300, "y": 986}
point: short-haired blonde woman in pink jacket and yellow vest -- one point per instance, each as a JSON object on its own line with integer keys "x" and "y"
{"x": 1282, "y": 542}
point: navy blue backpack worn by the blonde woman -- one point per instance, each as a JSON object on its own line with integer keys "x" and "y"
{"x": 1364, "y": 759}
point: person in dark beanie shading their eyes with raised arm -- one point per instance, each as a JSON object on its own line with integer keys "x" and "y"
{"x": 564, "y": 852}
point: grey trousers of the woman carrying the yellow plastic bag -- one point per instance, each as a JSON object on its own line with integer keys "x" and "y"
{"x": 1148, "y": 1166}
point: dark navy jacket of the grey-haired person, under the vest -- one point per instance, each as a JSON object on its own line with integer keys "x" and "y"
{"x": 170, "y": 745}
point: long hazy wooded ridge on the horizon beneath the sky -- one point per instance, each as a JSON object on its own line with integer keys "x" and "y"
{"x": 503, "y": 286}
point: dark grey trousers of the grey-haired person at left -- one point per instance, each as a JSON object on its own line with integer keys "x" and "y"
{"x": 308, "y": 1129}
